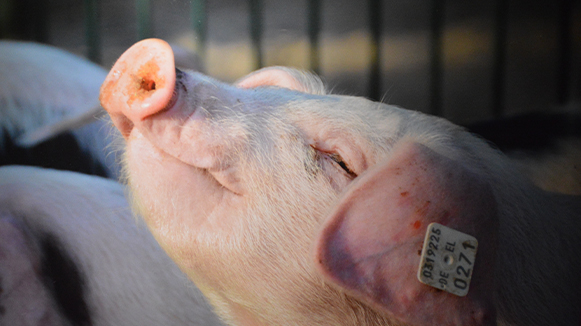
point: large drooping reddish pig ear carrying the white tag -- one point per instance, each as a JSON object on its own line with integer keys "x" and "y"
{"x": 371, "y": 242}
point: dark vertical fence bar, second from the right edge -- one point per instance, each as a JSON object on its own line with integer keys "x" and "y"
{"x": 499, "y": 73}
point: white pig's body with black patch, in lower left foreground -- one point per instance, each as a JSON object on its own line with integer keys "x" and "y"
{"x": 125, "y": 278}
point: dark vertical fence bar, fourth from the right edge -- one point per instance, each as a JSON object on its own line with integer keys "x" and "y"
{"x": 375, "y": 65}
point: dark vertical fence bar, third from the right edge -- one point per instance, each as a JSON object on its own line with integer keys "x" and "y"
{"x": 436, "y": 48}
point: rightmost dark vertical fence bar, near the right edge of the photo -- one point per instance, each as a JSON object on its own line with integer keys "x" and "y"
{"x": 565, "y": 53}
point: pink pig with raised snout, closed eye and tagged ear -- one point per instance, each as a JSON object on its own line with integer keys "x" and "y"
{"x": 287, "y": 205}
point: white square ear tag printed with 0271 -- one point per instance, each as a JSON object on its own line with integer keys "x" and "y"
{"x": 447, "y": 260}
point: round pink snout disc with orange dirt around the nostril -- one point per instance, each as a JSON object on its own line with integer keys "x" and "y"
{"x": 140, "y": 84}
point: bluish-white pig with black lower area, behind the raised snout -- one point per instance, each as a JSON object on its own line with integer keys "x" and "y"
{"x": 44, "y": 90}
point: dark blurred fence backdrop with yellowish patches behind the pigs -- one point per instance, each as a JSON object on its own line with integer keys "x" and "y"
{"x": 465, "y": 60}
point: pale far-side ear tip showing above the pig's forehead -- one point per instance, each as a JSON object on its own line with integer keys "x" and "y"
{"x": 285, "y": 78}
